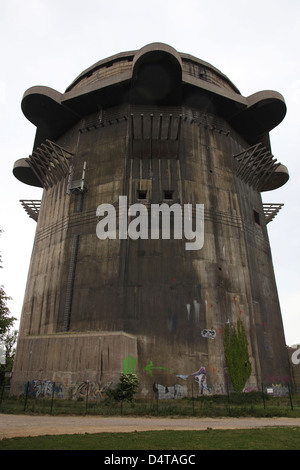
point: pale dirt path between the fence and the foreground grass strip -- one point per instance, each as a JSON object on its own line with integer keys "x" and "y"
{"x": 24, "y": 425}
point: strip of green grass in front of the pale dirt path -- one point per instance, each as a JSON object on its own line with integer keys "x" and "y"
{"x": 275, "y": 438}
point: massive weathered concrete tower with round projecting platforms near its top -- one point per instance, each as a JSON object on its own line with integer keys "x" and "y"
{"x": 151, "y": 126}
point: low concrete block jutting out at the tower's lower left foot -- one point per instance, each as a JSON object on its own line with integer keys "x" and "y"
{"x": 74, "y": 361}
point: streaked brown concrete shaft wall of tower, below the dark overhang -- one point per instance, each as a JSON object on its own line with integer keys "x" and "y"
{"x": 156, "y": 288}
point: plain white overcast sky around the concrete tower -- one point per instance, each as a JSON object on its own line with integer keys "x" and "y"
{"x": 49, "y": 42}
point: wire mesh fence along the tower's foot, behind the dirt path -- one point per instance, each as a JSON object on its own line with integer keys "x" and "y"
{"x": 46, "y": 397}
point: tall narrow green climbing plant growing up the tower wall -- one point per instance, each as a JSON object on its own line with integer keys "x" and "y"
{"x": 237, "y": 356}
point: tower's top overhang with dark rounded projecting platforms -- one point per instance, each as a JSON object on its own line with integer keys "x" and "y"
{"x": 155, "y": 74}
